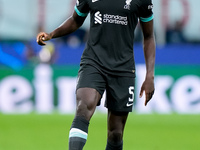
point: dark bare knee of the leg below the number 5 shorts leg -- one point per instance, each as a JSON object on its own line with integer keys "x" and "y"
{"x": 115, "y": 136}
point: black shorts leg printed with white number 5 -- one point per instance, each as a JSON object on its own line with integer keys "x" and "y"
{"x": 120, "y": 93}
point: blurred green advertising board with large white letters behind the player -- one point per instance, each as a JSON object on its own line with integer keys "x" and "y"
{"x": 45, "y": 89}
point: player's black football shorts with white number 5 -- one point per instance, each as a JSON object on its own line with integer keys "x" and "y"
{"x": 119, "y": 89}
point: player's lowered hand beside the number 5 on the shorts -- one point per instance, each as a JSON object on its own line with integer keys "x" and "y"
{"x": 148, "y": 87}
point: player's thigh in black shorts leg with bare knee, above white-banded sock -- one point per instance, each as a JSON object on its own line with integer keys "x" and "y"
{"x": 89, "y": 90}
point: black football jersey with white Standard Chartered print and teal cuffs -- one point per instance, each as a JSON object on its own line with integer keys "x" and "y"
{"x": 111, "y": 35}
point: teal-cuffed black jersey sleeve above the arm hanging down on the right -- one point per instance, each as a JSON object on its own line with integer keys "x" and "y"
{"x": 145, "y": 11}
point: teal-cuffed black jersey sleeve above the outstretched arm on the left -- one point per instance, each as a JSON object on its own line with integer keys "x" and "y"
{"x": 81, "y": 8}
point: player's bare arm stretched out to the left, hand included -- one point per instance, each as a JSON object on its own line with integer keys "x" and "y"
{"x": 69, "y": 26}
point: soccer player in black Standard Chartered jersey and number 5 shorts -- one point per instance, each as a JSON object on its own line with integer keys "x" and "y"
{"x": 107, "y": 63}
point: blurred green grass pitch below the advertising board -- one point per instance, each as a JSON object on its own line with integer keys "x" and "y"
{"x": 142, "y": 132}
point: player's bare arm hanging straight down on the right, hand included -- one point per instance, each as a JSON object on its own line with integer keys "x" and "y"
{"x": 149, "y": 54}
